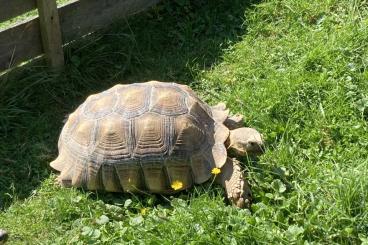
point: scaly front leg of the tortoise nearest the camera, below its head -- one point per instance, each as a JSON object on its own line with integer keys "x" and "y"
{"x": 236, "y": 186}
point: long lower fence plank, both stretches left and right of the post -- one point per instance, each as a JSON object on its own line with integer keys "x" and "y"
{"x": 23, "y": 41}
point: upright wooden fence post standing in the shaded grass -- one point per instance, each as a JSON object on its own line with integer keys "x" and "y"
{"x": 50, "y": 33}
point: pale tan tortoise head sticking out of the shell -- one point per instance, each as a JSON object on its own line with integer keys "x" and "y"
{"x": 245, "y": 141}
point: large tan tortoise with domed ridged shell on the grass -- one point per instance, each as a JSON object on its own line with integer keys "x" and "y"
{"x": 154, "y": 137}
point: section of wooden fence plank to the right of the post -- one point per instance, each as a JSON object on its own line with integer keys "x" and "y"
{"x": 85, "y": 16}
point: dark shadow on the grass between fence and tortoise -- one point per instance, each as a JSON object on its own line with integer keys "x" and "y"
{"x": 171, "y": 42}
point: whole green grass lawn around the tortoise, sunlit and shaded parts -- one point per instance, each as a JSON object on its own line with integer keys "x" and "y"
{"x": 296, "y": 69}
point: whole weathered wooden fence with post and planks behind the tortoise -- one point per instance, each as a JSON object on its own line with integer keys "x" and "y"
{"x": 46, "y": 33}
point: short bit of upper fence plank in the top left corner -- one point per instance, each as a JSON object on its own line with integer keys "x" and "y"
{"x": 13, "y": 8}
